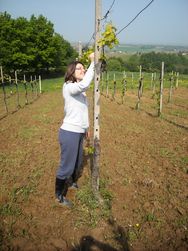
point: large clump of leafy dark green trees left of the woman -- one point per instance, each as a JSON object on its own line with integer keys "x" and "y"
{"x": 33, "y": 46}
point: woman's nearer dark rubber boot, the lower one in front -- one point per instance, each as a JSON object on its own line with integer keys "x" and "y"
{"x": 61, "y": 188}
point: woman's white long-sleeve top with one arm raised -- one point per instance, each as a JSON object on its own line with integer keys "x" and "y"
{"x": 76, "y": 117}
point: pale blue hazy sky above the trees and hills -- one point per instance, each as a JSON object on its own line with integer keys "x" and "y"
{"x": 164, "y": 22}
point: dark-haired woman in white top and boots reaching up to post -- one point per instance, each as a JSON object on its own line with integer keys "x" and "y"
{"x": 74, "y": 127}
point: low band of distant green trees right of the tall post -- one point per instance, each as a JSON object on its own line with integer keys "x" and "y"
{"x": 151, "y": 62}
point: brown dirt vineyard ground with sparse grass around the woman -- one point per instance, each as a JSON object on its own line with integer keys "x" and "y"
{"x": 143, "y": 166}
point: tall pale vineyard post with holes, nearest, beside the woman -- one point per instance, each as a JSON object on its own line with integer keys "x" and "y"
{"x": 96, "y": 138}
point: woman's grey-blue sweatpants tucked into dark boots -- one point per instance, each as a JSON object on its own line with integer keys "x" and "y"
{"x": 71, "y": 144}
